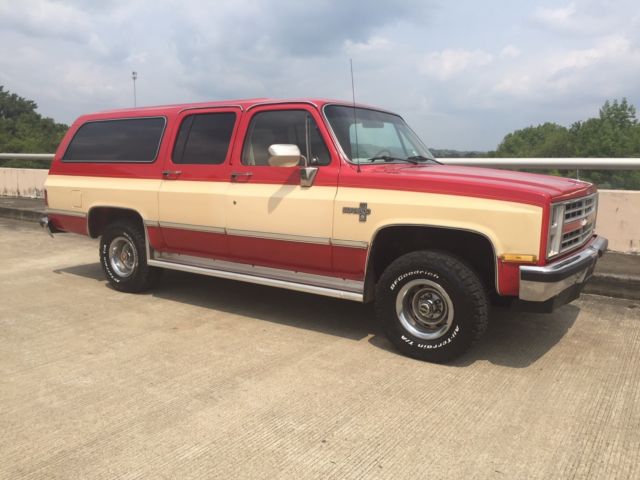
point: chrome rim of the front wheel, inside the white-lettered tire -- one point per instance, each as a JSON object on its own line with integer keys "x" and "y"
{"x": 424, "y": 309}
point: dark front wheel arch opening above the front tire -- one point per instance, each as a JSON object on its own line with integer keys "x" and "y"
{"x": 392, "y": 241}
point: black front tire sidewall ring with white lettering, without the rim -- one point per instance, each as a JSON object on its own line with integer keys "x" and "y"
{"x": 459, "y": 336}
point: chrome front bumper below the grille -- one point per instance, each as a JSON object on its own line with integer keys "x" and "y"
{"x": 539, "y": 284}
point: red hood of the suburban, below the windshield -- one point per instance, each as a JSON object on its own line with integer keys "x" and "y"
{"x": 491, "y": 183}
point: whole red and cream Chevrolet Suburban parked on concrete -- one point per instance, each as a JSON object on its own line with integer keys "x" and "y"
{"x": 322, "y": 197}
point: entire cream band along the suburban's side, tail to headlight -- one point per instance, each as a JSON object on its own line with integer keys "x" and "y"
{"x": 293, "y": 210}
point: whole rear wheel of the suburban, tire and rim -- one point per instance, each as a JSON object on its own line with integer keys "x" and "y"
{"x": 124, "y": 260}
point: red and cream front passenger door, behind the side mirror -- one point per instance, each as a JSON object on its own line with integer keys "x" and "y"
{"x": 272, "y": 220}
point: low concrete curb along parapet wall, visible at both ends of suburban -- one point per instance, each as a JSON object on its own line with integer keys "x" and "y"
{"x": 607, "y": 283}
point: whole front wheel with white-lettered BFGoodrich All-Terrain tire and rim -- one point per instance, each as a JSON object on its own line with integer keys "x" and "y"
{"x": 432, "y": 305}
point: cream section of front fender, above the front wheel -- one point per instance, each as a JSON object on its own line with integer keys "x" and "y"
{"x": 512, "y": 227}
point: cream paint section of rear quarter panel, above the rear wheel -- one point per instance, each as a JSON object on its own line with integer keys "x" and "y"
{"x": 137, "y": 194}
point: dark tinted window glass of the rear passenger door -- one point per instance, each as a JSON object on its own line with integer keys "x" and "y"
{"x": 204, "y": 138}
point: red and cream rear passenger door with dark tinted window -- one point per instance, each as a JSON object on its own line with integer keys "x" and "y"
{"x": 195, "y": 181}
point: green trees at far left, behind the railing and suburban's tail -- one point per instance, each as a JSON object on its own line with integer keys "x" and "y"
{"x": 23, "y": 130}
